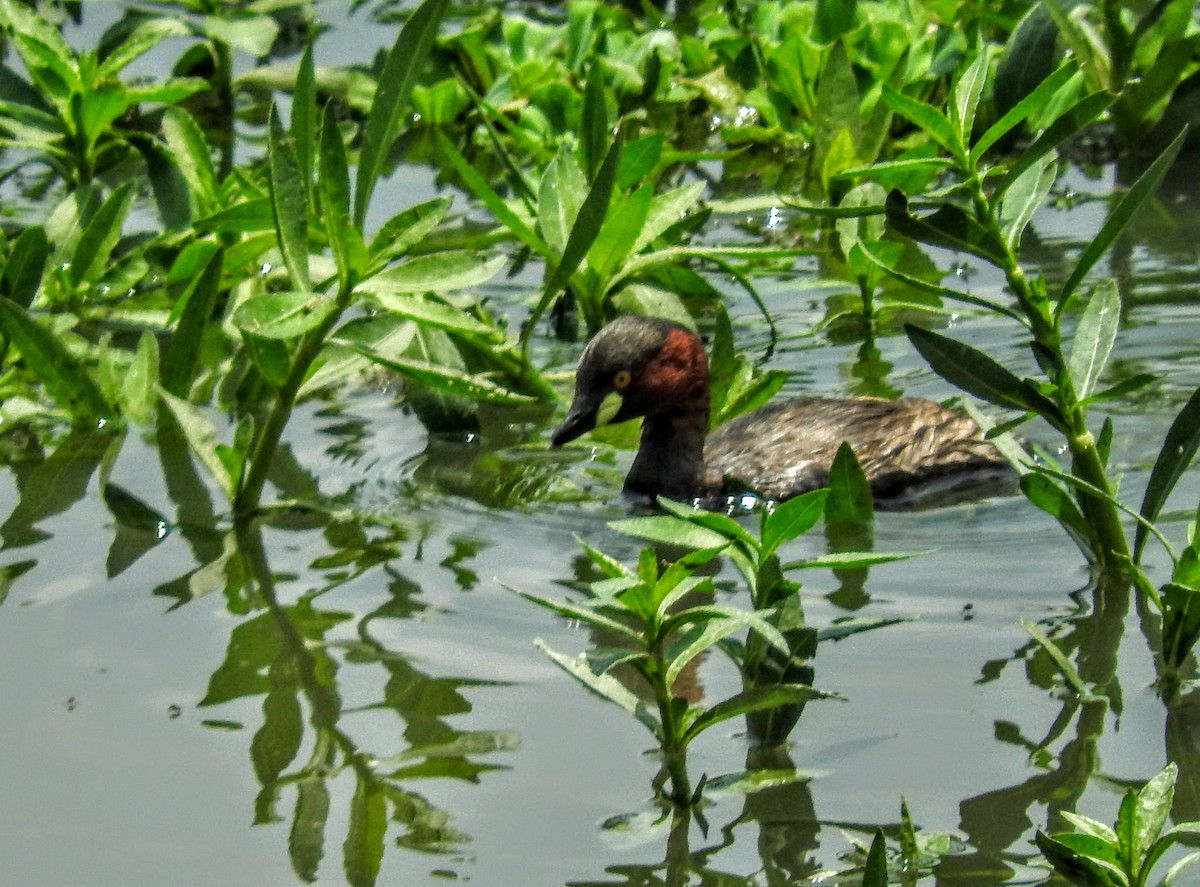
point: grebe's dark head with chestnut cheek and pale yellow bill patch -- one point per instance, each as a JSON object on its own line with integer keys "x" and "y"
{"x": 637, "y": 367}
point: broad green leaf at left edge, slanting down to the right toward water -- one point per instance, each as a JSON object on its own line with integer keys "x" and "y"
{"x": 67, "y": 381}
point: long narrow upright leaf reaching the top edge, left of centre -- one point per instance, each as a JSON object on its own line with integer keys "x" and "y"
{"x": 400, "y": 71}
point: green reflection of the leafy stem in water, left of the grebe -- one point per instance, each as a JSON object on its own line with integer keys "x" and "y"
{"x": 293, "y": 657}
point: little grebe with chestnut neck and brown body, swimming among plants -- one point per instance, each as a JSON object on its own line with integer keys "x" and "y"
{"x": 650, "y": 368}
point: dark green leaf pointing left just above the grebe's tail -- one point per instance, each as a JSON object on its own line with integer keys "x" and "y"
{"x": 980, "y": 375}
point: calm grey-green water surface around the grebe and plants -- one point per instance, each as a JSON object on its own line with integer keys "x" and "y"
{"x": 135, "y": 687}
